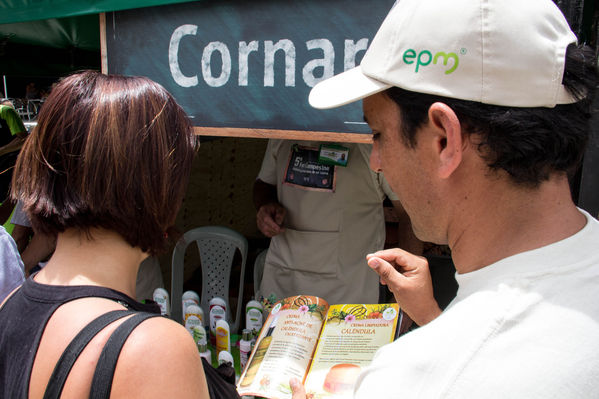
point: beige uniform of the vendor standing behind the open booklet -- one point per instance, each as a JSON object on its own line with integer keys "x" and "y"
{"x": 327, "y": 233}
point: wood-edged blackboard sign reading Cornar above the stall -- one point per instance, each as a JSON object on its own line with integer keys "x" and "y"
{"x": 248, "y": 64}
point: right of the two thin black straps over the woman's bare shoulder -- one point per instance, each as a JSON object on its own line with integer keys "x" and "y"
{"x": 104, "y": 374}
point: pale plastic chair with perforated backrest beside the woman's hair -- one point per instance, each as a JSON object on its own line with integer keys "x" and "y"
{"x": 217, "y": 246}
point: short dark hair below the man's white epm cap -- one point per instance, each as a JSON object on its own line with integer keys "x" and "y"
{"x": 528, "y": 143}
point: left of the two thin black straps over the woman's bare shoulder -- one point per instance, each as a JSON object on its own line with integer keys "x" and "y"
{"x": 74, "y": 349}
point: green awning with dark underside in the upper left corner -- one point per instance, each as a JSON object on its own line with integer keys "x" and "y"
{"x": 54, "y": 37}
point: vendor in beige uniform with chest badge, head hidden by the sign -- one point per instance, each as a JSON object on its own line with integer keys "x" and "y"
{"x": 323, "y": 217}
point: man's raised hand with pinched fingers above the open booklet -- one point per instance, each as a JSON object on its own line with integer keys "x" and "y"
{"x": 409, "y": 279}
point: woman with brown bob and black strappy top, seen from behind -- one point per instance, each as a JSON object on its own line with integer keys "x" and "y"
{"x": 105, "y": 170}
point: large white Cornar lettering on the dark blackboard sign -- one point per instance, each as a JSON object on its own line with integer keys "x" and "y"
{"x": 217, "y": 48}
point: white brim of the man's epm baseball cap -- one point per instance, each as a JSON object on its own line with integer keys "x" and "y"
{"x": 344, "y": 88}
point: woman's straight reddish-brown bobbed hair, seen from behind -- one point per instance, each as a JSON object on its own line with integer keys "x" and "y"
{"x": 110, "y": 152}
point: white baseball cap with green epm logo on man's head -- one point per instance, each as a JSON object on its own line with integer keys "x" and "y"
{"x": 502, "y": 52}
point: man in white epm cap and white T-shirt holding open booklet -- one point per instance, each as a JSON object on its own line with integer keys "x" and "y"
{"x": 479, "y": 110}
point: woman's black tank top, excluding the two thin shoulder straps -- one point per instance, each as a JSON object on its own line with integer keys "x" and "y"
{"x": 23, "y": 319}
